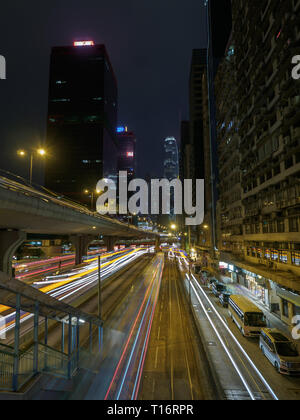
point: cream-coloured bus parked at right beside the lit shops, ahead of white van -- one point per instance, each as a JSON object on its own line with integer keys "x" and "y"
{"x": 246, "y": 315}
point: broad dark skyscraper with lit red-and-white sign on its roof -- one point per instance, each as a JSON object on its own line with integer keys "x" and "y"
{"x": 82, "y": 118}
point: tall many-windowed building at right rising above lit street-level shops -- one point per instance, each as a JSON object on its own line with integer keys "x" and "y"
{"x": 259, "y": 160}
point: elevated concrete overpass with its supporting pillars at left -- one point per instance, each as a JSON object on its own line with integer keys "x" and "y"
{"x": 24, "y": 209}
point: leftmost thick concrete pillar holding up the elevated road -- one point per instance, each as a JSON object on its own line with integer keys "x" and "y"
{"x": 10, "y": 240}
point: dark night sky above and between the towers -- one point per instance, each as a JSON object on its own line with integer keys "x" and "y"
{"x": 149, "y": 42}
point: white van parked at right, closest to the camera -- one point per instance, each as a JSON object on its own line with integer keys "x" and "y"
{"x": 280, "y": 351}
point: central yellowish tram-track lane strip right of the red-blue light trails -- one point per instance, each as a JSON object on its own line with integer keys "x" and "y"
{"x": 176, "y": 366}
